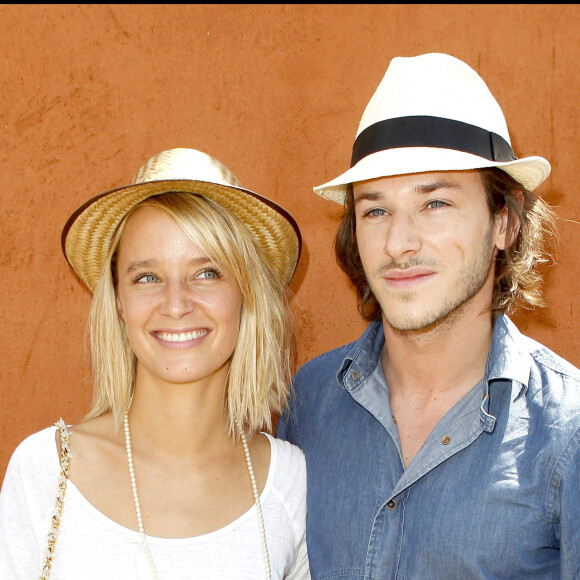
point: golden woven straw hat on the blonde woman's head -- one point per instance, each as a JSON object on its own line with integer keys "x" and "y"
{"x": 88, "y": 233}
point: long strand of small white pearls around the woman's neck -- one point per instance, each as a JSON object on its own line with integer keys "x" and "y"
{"x": 250, "y": 467}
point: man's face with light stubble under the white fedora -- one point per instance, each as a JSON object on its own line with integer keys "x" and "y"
{"x": 427, "y": 243}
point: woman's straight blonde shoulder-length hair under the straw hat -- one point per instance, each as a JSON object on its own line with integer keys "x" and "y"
{"x": 260, "y": 369}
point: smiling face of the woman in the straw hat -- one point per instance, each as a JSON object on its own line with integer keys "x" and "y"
{"x": 182, "y": 313}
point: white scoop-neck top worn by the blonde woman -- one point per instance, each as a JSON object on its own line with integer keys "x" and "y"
{"x": 92, "y": 546}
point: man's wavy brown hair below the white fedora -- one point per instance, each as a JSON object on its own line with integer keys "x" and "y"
{"x": 531, "y": 222}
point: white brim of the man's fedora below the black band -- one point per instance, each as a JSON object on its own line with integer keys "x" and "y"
{"x": 529, "y": 171}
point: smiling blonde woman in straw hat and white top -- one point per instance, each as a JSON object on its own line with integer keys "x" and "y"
{"x": 169, "y": 476}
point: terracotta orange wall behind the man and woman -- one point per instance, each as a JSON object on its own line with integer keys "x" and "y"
{"x": 276, "y": 92}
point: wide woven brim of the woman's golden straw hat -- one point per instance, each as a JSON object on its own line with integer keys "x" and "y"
{"x": 88, "y": 233}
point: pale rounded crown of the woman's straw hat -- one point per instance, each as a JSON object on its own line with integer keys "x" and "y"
{"x": 187, "y": 164}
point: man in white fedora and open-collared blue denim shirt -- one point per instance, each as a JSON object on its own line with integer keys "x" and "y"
{"x": 442, "y": 444}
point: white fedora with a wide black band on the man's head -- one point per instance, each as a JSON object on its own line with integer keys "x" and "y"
{"x": 432, "y": 113}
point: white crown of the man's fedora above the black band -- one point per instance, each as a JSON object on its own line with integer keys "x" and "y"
{"x": 434, "y": 85}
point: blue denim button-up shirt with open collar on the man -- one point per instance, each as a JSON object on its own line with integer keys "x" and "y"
{"x": 494, "y": 493}
